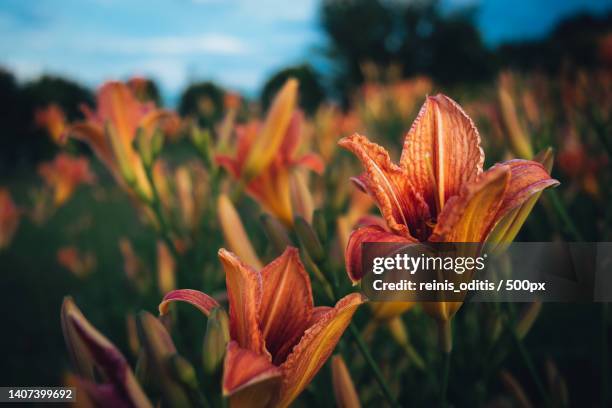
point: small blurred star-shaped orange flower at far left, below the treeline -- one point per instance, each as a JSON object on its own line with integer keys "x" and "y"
{"x": 63, "y": 175}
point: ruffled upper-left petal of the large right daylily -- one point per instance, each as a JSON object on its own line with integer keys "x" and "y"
{"x": 403, "y": 209}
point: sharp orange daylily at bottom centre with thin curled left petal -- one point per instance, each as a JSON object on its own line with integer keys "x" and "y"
{"x": 279, "y": 340}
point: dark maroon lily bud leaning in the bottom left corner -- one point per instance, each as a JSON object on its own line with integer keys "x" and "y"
{"x": 89, "y": 348}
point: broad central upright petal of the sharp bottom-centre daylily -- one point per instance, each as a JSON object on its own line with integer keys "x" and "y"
{"x": 286, "y": 304}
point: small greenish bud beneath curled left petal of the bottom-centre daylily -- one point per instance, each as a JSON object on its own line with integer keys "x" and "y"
{"x": 215, "y": 339}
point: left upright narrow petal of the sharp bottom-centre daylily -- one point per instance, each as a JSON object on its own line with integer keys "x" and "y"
{"x": 244, "y": 293}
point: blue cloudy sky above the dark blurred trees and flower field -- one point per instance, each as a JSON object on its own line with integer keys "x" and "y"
{"x": 238, "y": 43}
